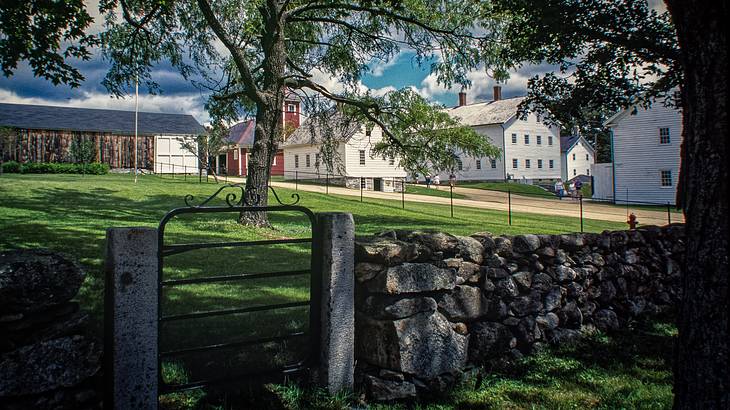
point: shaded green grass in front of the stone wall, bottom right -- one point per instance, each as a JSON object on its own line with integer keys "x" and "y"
{"x": 629, "y": 369}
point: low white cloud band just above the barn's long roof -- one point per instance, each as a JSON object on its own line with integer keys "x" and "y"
{"x": 180, "y": 104}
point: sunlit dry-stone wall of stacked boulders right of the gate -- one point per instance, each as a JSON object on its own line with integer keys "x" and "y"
{"x": 429, "y": 304}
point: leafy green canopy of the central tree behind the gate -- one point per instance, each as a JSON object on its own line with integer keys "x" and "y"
{"x": 245, "y": 54}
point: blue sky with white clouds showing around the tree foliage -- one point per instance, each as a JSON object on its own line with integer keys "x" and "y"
{"x": 180, "y": 96}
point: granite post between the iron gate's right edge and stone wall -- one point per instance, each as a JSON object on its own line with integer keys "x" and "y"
{"x": 336, "y": 254}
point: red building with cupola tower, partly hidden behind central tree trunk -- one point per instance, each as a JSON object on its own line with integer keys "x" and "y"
{"x": 241, "y": 136}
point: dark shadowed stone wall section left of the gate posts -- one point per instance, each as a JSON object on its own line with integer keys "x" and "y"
{"x": 46, "y": 359}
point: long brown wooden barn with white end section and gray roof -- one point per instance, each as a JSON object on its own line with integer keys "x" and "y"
{"x": 46, "y": 133}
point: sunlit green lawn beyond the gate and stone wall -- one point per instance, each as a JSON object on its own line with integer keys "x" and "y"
{"x": 70, "y": 213}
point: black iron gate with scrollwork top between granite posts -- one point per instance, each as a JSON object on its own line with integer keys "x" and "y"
{"x": 236, "y": 203}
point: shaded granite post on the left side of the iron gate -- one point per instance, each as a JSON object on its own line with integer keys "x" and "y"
{"x": 131, "y": 318}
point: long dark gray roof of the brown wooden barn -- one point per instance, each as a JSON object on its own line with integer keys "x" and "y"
{"x": 43, "y": 117}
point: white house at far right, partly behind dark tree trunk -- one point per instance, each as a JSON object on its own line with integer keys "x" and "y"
{"x": 645, "y": 146}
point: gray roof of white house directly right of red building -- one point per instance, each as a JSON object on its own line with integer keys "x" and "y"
{"x": 313, "y": 131}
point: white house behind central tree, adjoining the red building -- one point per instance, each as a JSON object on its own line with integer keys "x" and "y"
{"x": 352, "y": 149}
